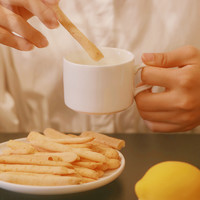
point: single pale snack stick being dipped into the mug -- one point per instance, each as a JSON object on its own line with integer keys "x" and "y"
{"x": 89, "y": 47}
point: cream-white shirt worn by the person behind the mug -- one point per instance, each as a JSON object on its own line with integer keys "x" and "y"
{"x": 31, "y": 88}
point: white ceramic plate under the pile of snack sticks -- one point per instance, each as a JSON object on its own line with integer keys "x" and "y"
{"x": 108, "y": 177}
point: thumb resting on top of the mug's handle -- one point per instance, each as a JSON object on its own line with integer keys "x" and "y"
{"x": 179, "y": 57}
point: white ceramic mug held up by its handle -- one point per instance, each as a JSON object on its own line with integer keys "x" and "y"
{"x": 102, "y": 87}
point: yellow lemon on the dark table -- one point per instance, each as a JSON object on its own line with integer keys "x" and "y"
{"x": 170, "y": 180}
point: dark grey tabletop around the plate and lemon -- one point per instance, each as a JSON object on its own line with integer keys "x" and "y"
{"x": 141, "y": 152}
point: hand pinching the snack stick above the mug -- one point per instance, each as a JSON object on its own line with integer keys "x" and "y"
{"x": 13, "y": 18}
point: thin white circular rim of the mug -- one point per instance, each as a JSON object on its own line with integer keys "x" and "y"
{"x": 131, "y": 59}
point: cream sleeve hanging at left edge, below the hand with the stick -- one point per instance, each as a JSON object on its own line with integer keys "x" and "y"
{"x": 11, "y": 98}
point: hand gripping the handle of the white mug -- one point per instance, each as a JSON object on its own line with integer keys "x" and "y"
{"x": 178, "y": 107}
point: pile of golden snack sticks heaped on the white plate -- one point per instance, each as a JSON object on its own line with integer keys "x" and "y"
{"x": 54, "y": 158}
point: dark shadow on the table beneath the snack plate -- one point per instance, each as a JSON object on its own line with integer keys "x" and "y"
{"x": 108, "y": 192}
